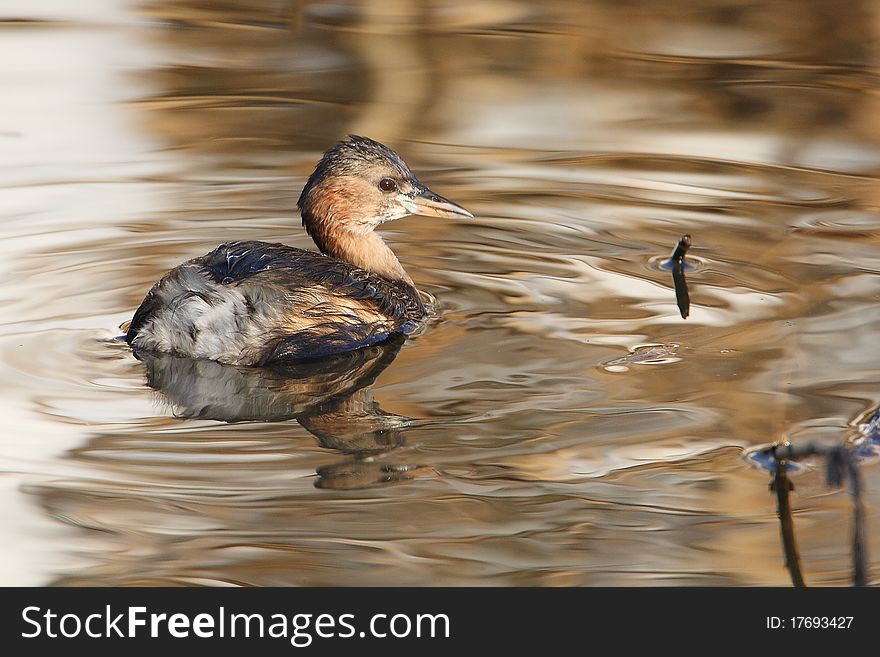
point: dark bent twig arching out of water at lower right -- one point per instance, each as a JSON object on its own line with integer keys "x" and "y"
{"x": 841, "y": 465}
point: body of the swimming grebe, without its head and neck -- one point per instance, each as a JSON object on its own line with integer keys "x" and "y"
{"x": 252, "y": 303}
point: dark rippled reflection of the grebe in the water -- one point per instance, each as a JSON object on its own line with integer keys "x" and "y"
{"x": 330, "y": 398}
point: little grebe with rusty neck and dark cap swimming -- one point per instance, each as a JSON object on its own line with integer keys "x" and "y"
{"x": 255, "y": 303}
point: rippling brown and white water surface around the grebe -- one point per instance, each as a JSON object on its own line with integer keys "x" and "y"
{"x": 561, "y": 424}
